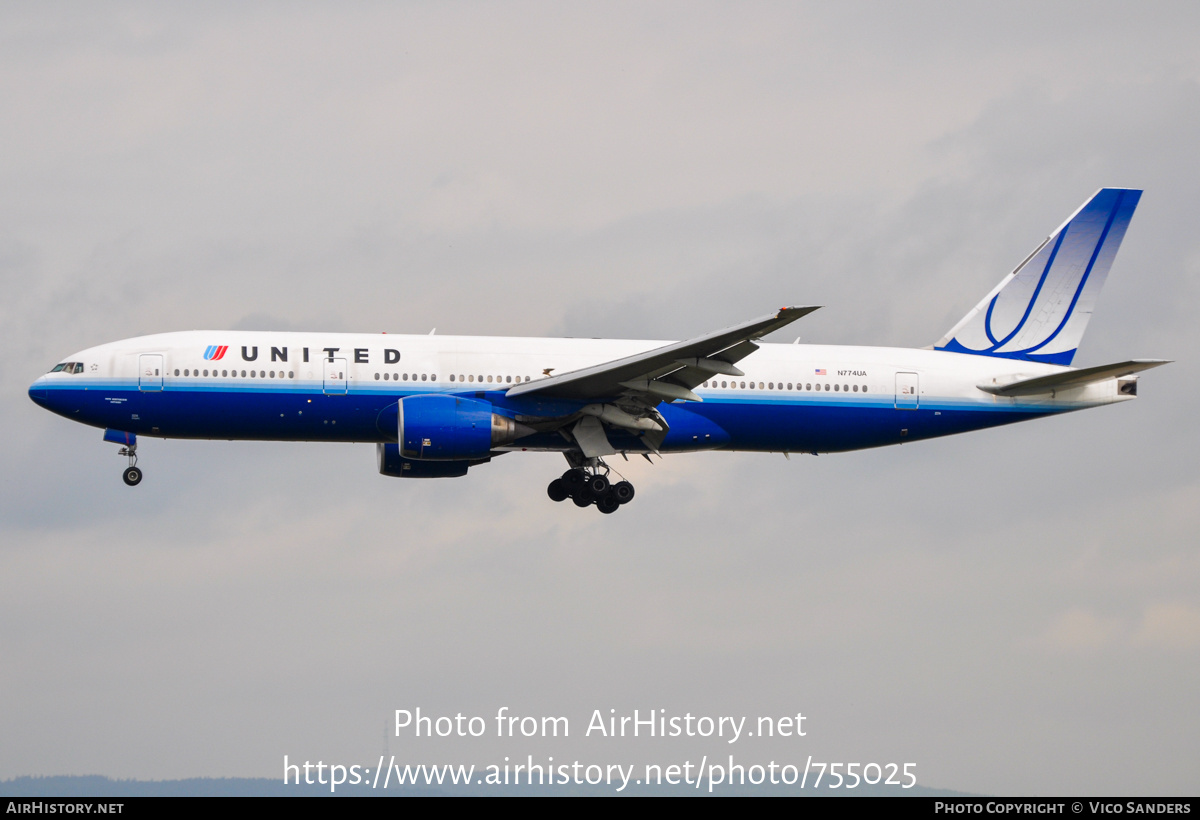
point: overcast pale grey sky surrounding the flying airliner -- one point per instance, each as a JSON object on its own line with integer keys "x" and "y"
{"x": 1016, "y": 612}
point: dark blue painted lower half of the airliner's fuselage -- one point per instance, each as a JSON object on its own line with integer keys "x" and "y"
{"x": 794, "y": 423}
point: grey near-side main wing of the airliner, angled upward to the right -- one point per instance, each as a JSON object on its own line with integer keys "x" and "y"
{"x": 669, "y": 373}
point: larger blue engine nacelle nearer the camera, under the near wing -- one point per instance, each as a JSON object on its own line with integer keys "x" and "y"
{"x": 441, "y": 428}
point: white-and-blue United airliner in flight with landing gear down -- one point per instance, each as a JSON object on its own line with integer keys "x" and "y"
{"x": 437, "y": 406}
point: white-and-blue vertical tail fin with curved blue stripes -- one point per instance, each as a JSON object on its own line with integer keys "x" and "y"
{"x": 1041, "y": 310}
